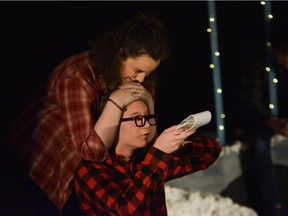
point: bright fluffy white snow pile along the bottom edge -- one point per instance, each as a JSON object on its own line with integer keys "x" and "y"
{"x": 183, "y": 203}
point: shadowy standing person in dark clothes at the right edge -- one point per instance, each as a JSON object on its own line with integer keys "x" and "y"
{"x": 260, "y": 124}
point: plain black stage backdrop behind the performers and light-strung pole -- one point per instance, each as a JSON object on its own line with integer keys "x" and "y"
{"x": 36, "y": 36}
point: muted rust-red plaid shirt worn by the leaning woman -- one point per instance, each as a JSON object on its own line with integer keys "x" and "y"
{"x": 56, "y": 130}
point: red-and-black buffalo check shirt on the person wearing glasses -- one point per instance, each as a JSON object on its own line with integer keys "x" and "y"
{"x": 116, "y": 187}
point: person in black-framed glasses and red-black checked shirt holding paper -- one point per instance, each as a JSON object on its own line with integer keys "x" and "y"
{"x": 131, "y": 181}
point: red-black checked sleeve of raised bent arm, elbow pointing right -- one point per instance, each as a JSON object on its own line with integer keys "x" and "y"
{"x": 195, "y": 156}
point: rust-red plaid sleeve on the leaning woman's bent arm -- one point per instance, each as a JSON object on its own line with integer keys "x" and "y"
{"x": 77, "y": 106}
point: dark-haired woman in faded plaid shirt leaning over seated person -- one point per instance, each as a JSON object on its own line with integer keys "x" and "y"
{"x": 63, "y": 122}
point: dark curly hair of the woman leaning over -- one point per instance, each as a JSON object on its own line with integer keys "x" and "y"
{"x": 144, "y": 34}
